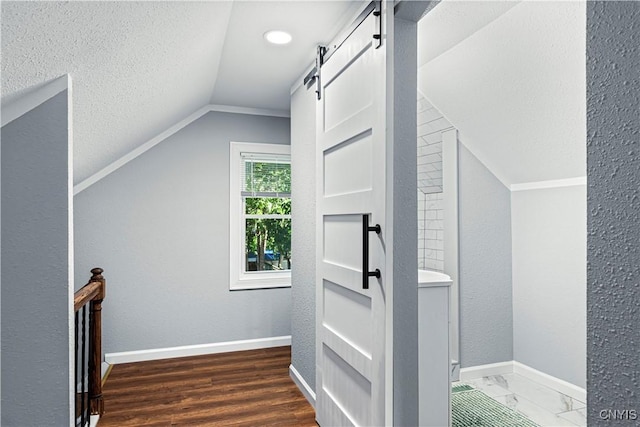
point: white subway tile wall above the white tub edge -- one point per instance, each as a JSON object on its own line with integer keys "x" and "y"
{"x": 431, "y": 124}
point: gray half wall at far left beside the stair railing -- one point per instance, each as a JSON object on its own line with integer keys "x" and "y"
{"x": 36, "y": 290}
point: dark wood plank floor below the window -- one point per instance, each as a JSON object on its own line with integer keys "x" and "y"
{"x": 247, "y": 388}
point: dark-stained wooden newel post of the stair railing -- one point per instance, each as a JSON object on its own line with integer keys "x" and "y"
{"x": 96, "y": 401}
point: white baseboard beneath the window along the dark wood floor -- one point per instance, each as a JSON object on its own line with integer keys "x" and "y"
{"x": 195, "y": 350}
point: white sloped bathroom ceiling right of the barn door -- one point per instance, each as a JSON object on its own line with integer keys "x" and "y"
{"x": 513, "y": 84}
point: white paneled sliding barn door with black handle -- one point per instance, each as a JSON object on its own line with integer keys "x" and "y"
{"x": 351, "y": 199}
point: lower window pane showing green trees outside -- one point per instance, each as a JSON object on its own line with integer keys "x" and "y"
{"x": 267, "y": 244}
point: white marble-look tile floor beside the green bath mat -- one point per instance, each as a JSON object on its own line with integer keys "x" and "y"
{"x": 539, "y": 403}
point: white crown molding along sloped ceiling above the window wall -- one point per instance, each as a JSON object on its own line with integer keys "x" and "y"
{"x": 169, "y": 132}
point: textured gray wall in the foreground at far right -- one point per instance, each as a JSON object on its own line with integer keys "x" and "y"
{"x": 613, "y": 169}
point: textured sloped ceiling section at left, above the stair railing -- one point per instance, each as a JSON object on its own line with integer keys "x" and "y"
{"x": 137, "y": 67}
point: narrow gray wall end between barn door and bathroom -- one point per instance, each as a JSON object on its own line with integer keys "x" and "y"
{"x": 405, "y": 224}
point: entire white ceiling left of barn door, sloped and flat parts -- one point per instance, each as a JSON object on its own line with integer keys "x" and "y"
{"x": 140, "y": 67}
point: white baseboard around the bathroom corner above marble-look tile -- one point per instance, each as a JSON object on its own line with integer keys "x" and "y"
{"x": 513, "y": 367}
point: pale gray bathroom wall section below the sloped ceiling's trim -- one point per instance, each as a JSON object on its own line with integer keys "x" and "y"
{"x": 549, "y": 280}
